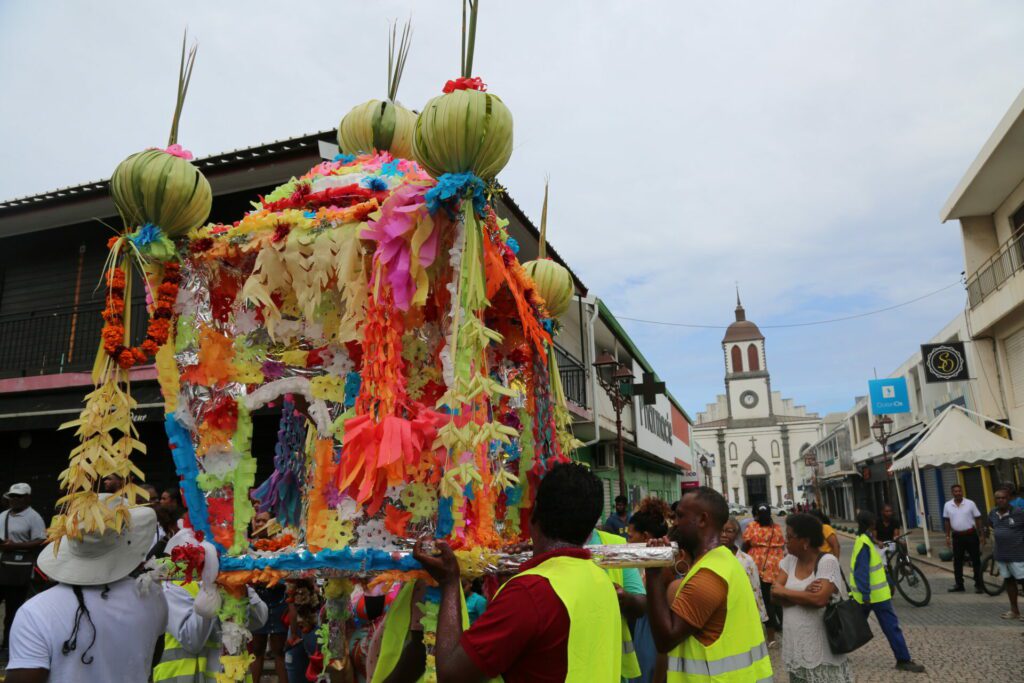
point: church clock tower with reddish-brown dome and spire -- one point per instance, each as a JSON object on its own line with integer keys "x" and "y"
{"x": 747, "y": 383}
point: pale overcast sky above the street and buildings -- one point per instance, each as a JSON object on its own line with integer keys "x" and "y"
{"x": 802, "y": 149}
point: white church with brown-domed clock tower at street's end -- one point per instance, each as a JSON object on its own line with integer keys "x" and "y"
{"x": 757, "y": 437}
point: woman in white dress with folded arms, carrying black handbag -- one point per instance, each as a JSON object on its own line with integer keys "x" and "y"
{"x": 807, "y": 581}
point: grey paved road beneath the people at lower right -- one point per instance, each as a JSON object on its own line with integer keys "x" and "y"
{"x": 959, "y": 637}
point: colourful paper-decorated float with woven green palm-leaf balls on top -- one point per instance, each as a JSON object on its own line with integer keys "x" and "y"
{"x": 378, "y": 303}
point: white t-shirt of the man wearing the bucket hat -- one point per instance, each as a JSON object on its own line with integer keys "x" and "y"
{"x": 126, "y": 627}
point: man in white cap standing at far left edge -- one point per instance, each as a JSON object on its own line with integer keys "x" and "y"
{"x": 23, "y": 533}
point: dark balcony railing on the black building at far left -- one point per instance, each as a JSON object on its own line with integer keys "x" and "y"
{"x": 57, "y": 340}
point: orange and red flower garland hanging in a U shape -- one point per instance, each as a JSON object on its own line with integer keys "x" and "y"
{"x": 160, "y": 321}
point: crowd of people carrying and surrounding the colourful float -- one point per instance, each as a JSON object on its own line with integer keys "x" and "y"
{"x": 738, "y": 591}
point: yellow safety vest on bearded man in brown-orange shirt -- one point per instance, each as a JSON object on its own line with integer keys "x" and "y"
{"x": 740, "y": 655}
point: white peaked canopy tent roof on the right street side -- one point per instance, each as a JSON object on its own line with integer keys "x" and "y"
{"x": 954, "y": 439}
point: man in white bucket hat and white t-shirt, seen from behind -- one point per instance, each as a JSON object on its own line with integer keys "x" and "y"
{"x": 97, "y": 624}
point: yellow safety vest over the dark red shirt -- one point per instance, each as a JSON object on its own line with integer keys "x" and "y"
{"x": 594, "y": 653}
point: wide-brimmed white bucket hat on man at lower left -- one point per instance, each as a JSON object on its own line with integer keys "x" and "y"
{"x": 102, "y": 559}
